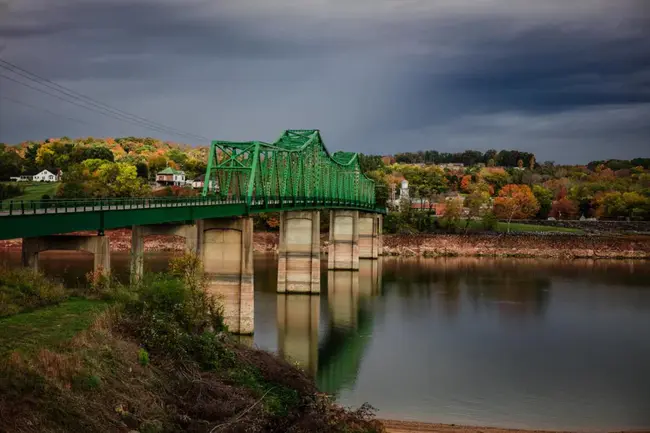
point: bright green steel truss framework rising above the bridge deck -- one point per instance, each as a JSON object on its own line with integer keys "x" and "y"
{"x": 296, "y": 169}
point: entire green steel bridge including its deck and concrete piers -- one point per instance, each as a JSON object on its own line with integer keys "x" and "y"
{"x": 296, "y": 175}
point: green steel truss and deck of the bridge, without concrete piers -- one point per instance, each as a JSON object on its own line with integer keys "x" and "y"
{"x": 295, "y": 173}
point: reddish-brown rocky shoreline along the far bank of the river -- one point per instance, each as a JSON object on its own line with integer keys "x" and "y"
{"x": 558, "y": 246}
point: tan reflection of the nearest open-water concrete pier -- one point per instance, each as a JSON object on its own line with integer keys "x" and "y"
{"x": 297, "y": 321}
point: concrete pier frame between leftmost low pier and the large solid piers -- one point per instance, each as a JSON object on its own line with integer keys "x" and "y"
{"x": 191, "y": 233}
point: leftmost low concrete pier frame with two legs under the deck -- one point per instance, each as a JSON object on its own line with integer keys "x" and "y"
{"x": 99, "y": 246}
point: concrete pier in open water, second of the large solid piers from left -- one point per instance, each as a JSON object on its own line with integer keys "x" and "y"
{"x": 299, "y": 252}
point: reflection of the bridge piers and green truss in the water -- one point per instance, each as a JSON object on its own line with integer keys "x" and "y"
{"x": 341, "y": 317}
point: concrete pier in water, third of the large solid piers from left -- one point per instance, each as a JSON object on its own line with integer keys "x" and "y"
{"x": 344, "y": 240}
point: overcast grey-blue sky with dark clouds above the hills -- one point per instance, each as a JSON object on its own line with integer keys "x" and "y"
{"x": 566, "y": 79}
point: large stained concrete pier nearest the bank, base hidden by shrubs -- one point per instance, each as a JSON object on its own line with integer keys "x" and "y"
{"x": 227, "y": 252}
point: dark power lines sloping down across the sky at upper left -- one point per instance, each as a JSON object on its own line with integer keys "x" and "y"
{"x": 90, "y": 103}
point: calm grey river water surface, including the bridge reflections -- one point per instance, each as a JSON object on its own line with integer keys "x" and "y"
{"x": 505, "y": 342}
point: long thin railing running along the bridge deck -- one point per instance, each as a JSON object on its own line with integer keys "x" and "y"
{"x": 54, "y": 206}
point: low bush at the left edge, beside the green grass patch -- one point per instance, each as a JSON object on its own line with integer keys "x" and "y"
{"x": 23, "y": 289}
